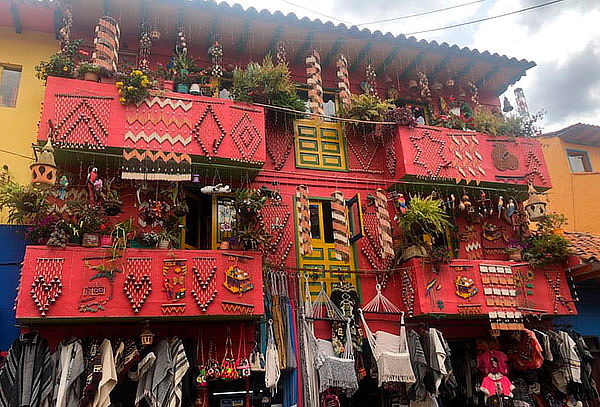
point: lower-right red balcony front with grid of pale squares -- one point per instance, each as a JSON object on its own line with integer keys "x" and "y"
{"x": 476, "y": 288}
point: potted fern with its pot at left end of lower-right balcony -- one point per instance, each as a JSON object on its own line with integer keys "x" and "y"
{"x": 424, "y": 216}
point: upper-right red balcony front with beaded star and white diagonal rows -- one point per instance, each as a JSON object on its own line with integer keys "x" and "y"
{"x": 456, "y": 156}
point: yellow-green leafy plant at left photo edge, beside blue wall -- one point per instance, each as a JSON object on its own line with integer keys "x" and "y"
{"x": 24, "y": 204}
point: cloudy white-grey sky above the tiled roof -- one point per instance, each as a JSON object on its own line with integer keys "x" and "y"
{"x": 563, "y": 39}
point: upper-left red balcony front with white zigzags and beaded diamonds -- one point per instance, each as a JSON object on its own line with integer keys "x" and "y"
{"x": 168, "y": 129}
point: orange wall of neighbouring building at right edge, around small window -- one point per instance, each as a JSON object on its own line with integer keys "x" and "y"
{"x": 576, "y": 195}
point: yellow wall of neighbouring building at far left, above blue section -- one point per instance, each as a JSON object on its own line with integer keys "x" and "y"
{"x": 19, "y": 124}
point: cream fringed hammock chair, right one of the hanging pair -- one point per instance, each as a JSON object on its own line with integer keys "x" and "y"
{"x": 391, "y": 354}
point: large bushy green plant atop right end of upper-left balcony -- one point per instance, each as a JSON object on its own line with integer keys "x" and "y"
{"x": 266, "y": 83}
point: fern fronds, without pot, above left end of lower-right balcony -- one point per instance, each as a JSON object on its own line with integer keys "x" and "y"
{"x": 423, "y": 215}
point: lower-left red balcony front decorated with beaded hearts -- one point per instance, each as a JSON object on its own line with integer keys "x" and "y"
{"x": 76, "y": 283}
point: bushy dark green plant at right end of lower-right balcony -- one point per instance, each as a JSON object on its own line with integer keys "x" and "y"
{"x": 544, "y": 249}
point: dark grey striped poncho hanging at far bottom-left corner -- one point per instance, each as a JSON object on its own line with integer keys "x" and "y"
{"x": 26, "y": 377}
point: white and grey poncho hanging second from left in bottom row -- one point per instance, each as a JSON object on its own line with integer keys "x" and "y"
{"x": 69, "y": 367}
